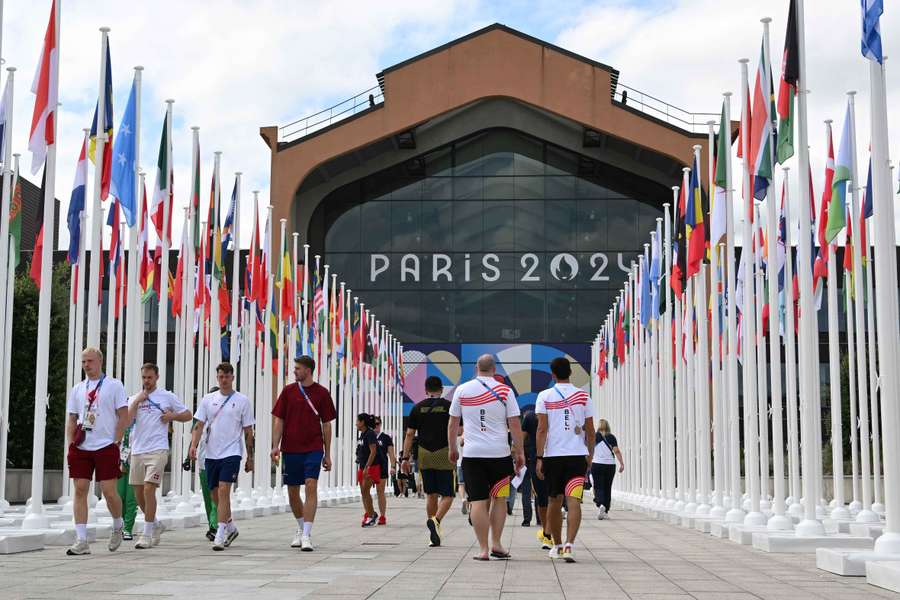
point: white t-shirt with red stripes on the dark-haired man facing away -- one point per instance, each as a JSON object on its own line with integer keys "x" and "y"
{"x": 567, "y": 407}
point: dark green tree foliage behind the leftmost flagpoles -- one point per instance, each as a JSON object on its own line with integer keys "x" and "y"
{"x": 24, "y": 361}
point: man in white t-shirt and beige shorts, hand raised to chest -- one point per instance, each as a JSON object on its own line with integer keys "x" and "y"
{"x": 151, "y": 410}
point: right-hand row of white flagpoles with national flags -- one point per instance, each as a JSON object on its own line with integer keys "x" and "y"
{"x": 660, "y": 371}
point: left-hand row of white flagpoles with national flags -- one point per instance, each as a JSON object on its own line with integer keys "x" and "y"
{"x": 279, "y": 306}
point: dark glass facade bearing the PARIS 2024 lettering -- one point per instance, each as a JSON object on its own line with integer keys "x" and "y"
{"x": 498, "y": 237}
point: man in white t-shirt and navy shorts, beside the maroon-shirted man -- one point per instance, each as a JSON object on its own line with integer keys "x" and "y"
{"x": 221, "y": 418}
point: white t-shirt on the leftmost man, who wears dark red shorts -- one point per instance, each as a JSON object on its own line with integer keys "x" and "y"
{"x": 110, "y": 397}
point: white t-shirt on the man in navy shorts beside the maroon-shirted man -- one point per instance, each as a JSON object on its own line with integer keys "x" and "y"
{"x": 222, "y": 433}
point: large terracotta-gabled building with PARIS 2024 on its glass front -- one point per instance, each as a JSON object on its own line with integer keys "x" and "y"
{"x": 486, "y": 195}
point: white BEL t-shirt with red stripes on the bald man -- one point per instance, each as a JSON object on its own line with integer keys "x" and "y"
{"x": 484, "y": 416}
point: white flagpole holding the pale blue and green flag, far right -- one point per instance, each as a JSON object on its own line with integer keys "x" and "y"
{"x": 866, "y": 515}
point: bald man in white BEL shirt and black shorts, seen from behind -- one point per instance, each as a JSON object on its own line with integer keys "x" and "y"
{"x": 490, "y": 413}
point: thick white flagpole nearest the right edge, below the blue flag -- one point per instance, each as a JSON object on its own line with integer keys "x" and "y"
{"x": 886, "y": 304}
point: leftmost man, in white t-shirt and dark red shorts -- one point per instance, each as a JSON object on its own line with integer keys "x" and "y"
{"x": 97, "y": 411}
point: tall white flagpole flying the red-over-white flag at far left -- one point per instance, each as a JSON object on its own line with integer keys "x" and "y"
{"x": 35, "y": 517}
